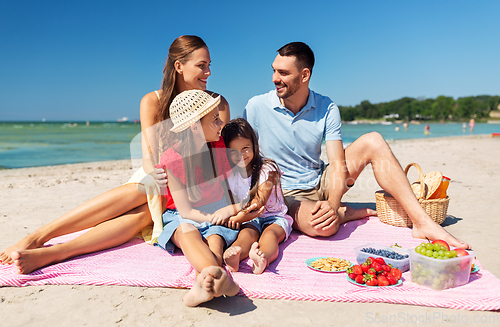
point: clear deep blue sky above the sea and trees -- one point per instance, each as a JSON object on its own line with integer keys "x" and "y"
{"x": 94, "y": 60}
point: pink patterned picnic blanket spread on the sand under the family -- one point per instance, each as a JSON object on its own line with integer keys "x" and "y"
{"x": 136, "y": 263}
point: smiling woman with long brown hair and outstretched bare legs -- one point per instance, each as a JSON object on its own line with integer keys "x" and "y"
{"x": 119, "y": 214}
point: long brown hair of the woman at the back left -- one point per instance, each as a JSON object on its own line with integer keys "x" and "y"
{"x": 180, "y": 50}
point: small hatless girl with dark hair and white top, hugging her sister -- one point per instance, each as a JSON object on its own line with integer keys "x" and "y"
{"x": 256, "y": 180}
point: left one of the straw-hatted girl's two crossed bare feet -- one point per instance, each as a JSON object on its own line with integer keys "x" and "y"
{"x": 203, "y": 288}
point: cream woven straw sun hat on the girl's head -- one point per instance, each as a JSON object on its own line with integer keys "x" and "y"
{"x": 190, "y": 106}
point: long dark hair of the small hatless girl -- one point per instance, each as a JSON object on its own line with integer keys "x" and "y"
{"x": 239, "y": 127}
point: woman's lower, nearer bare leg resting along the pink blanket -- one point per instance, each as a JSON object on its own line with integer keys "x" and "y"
{"x": 105, "y": 235}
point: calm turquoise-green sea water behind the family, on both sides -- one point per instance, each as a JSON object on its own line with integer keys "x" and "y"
{"x": 33, "y": 144}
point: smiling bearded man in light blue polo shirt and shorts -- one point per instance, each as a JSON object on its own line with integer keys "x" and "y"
{"x": 291, "y": 122}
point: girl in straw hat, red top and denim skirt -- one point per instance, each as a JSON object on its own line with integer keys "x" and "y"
{"x": 196, "y": 177}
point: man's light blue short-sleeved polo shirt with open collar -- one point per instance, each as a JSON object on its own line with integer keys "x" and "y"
{"x": 294, "y": 141}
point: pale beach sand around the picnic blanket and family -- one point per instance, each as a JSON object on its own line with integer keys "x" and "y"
{"x": 35, "y": 196}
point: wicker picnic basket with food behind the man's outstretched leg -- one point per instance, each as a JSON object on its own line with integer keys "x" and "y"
{"x": 391, "y": 212}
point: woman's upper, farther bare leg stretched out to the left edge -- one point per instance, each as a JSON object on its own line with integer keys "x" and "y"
{"x": 101, "y": 208}
